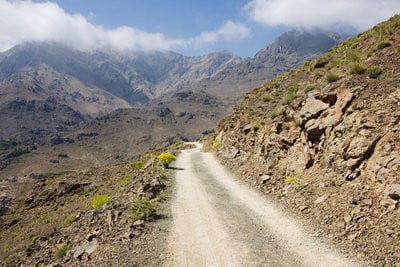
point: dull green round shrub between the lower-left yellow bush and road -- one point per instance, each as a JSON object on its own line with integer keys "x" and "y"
{"x": 143, "y": 209}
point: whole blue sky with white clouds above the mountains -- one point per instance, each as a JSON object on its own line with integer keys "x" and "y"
{"x": 190, "y": 27}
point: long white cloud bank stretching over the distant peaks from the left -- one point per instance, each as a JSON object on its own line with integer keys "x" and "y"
{"x": 22, "y": 21}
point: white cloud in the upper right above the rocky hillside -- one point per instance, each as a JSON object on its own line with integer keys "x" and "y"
{"x": 360, "y": 14}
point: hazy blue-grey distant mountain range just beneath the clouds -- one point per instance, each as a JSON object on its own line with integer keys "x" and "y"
{"x": 136, "y": 77}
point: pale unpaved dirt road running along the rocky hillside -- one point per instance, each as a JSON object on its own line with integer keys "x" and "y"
{"x": 219, "y": 221}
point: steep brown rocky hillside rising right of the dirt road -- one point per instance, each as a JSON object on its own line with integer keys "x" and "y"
{"x": 323, "y": 140}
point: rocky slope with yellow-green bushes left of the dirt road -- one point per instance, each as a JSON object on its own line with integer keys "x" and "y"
{"x": 114, "y": 215}
